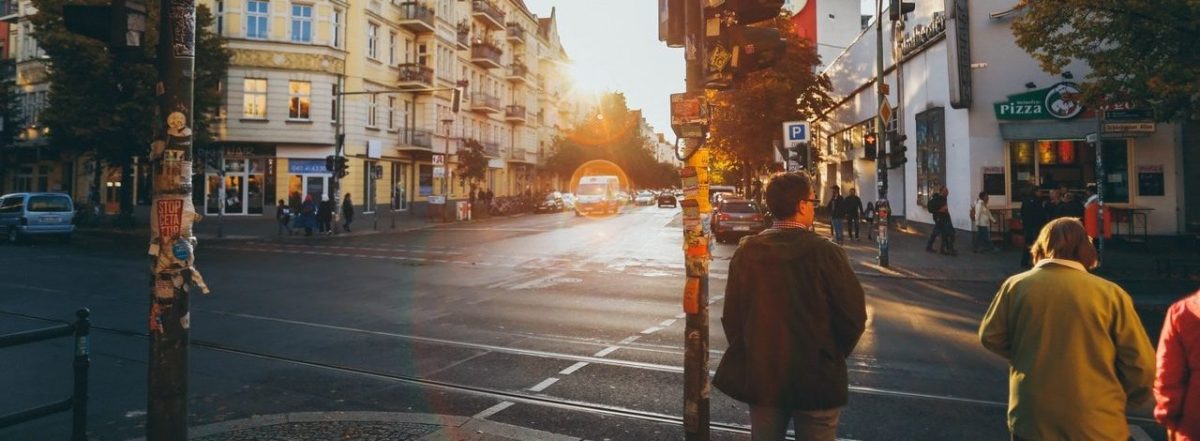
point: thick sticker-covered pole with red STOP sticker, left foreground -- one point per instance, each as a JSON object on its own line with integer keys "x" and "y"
{"x": 172, "y": 244}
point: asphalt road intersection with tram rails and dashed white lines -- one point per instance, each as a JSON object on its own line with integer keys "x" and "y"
{"x": 553, "y": 322}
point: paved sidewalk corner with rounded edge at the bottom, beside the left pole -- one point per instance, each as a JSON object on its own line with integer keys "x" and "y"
{"x": 365, "y": 427}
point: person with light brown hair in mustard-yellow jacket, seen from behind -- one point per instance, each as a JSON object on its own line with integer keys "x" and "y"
{"x": 1077, "y": 352}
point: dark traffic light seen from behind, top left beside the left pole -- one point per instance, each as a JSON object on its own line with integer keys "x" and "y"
{"x": 121, "y": 26}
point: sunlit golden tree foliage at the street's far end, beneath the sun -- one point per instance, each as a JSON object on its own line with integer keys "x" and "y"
{"x": 613, "y": 134}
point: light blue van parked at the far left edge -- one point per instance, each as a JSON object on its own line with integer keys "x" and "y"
{"x": 37, "y": 214}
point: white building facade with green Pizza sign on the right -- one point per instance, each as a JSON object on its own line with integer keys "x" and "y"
{"x": 985, "y": 118}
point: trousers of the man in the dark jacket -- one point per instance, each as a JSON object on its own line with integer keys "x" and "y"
{"x": 771, "y": 424}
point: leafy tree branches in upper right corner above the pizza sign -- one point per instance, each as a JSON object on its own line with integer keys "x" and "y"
{"x": 1147, "y": 53}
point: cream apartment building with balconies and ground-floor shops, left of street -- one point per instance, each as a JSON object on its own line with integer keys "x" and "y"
{"x": 381, "y": 74}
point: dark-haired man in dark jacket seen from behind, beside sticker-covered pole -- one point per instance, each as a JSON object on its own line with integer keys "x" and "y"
{"x": 794, "y": 313}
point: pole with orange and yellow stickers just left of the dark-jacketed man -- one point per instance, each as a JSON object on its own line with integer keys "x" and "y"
{"x": 697, "y": 389}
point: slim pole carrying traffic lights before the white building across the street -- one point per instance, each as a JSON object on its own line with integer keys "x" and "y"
{"x": 884, "y": 210}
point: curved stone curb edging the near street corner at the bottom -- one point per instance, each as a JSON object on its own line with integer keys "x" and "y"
{"x": 452, "y": 427}
